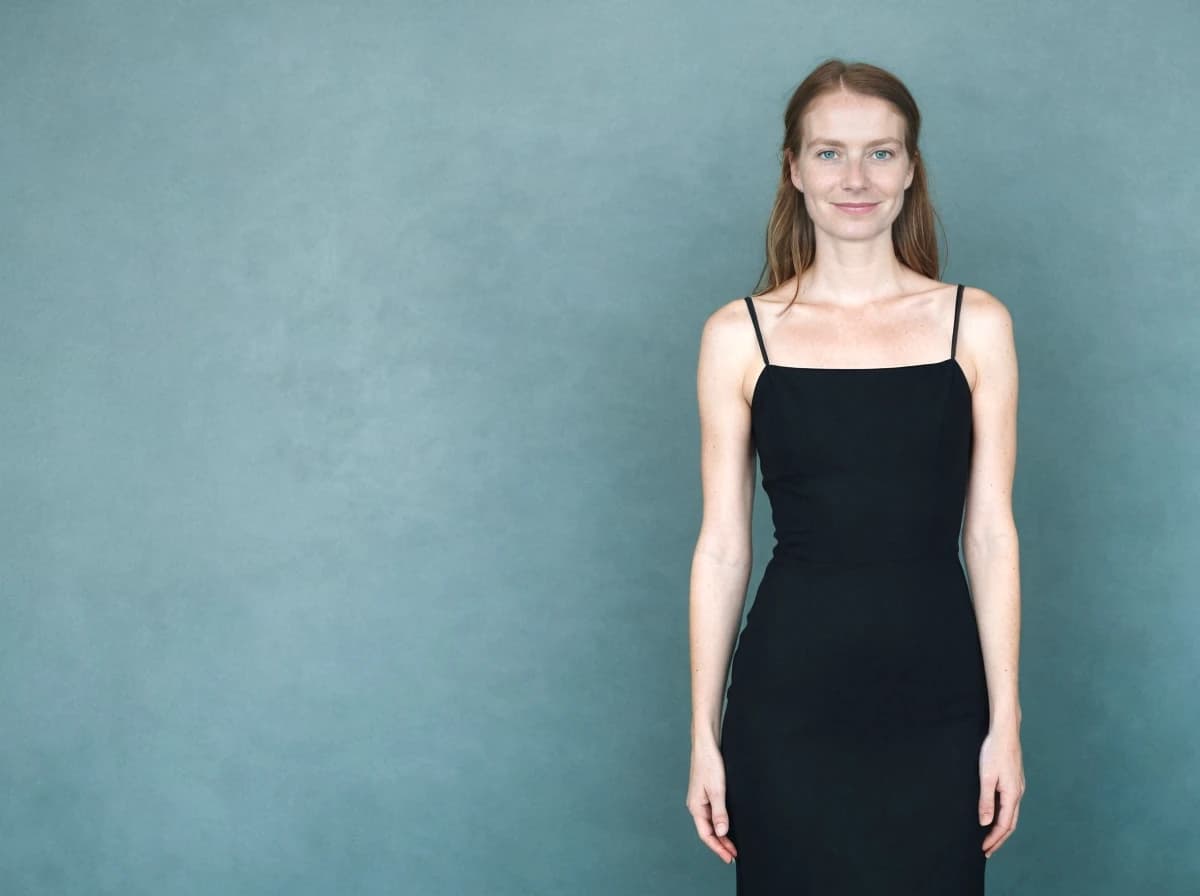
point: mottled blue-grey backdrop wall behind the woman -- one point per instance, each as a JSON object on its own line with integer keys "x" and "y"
{"x": 350, "y": 460}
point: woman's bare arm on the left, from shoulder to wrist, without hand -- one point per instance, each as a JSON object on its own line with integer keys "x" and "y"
{"x": 721, "y": 568}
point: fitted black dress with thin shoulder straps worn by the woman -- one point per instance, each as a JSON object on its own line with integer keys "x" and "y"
{"x": 857, "y": 701}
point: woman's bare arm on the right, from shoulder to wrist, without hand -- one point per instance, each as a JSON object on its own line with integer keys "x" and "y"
{"x": 989, "y": 534}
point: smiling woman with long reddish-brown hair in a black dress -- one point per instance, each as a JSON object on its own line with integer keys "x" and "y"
{"x": 871, "y": 743}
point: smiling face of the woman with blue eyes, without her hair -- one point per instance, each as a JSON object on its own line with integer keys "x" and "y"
{"x": 854, "y": 153}
